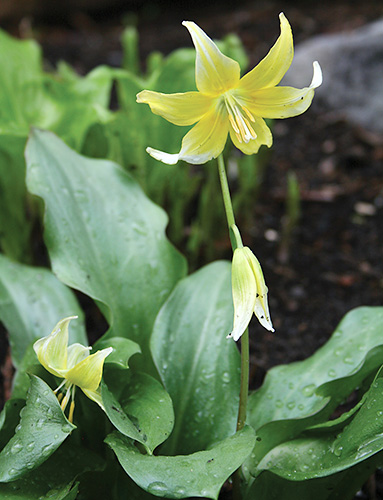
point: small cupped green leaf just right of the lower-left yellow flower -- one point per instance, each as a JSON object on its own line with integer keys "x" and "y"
{"x": 144, "y": 411}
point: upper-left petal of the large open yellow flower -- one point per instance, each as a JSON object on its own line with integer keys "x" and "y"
{"x": 215, "y": 72}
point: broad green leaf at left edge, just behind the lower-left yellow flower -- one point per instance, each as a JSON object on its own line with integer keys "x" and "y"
{"x": 32, "y": 301}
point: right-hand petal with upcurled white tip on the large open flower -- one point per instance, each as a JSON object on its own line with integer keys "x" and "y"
{"x": 283, "y": 102}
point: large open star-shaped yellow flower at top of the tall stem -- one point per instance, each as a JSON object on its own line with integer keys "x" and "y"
{"x": 226, "y": 103}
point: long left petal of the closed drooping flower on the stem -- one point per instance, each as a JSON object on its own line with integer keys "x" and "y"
{"x": 244, "y": 289}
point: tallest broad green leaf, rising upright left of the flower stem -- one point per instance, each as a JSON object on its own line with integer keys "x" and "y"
{"x": 104, "y": 236}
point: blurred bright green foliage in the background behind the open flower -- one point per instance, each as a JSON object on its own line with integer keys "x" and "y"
{"x": 98, "y": 116}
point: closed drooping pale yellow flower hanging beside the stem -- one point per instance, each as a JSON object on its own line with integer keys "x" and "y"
{"x": 249, "y": 292}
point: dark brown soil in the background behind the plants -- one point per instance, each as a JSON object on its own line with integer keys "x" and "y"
{"x": 334, "y": 262}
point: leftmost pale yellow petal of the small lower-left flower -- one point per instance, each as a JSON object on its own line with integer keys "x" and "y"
{"x": 51, "y": 351}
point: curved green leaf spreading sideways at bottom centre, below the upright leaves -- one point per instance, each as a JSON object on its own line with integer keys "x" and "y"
{"x": 200, "y": 474}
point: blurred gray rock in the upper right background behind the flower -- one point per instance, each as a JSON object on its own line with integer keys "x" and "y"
{"x": 352, "y": 65}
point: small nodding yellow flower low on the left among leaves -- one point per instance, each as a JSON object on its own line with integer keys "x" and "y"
{"x": 73, "y": 364}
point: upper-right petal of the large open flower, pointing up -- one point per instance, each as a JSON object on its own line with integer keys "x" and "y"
{"x": 270, "y": 71}
